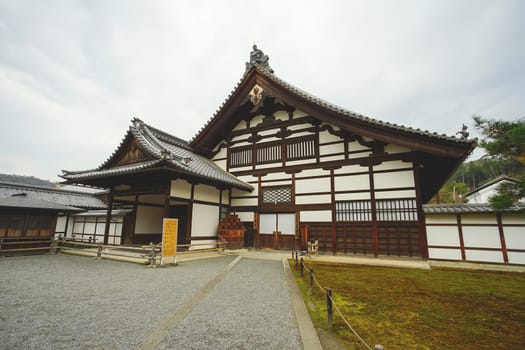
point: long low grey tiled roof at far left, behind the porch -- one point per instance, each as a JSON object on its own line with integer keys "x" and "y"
{"x": 61, "y": 197}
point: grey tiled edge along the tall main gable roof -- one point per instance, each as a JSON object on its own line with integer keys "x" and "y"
{"x": 331, "y": 107}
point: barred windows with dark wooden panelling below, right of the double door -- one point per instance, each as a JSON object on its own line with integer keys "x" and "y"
{"x": 390, "y": 227}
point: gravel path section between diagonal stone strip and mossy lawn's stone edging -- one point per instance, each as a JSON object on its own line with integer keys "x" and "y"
{"x": 249, "y": 309}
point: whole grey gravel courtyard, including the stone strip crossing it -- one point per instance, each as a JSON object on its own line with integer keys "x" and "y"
{"x": 64, "y": 302}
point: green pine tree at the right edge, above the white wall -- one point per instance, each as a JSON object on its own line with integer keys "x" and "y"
{"x": 504, "y": 140}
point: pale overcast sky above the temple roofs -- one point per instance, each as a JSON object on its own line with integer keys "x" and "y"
{"x": 74, "y": 73}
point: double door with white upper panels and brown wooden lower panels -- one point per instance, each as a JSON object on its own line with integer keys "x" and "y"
{"x": 277, "y": 230}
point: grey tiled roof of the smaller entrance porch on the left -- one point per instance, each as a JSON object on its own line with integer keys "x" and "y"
{"x": 167, "y": 150}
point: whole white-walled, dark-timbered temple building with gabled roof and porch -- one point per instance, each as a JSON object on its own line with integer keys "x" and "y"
{"x": 291, "y": 166}
